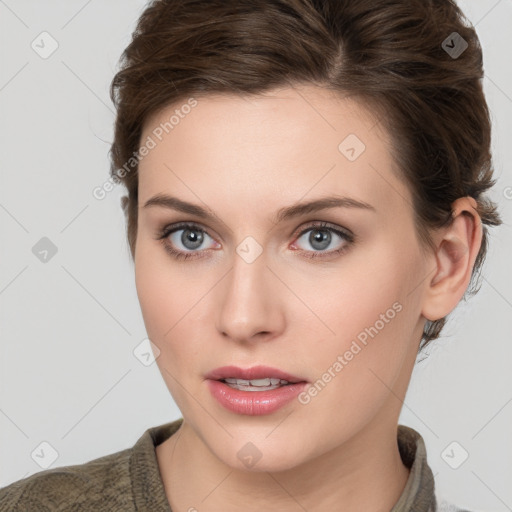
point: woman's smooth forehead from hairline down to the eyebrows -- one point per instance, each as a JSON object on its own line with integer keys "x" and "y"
{"x": 270, "y": 149}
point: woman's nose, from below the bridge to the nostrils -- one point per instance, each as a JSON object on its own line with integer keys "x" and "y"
{"x": 250, "y": 303}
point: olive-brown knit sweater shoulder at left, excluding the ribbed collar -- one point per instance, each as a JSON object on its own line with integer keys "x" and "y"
{"x": 104, "y": 482}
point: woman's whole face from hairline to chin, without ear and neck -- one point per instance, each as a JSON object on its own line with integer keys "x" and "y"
{"x": 338, "y": 306}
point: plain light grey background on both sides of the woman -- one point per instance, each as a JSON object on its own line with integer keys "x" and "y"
{"x": 69, "y": 326}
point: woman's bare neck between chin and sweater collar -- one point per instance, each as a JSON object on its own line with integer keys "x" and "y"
{"x": 364, "y": 473}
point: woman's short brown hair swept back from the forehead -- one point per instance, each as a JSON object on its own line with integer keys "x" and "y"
{"x": 392, "y": 54}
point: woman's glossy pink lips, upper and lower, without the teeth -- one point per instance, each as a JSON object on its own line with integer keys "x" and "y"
{"x": 253, "y": 403}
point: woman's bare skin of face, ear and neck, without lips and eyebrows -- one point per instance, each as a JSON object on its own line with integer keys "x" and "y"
{"x": 244, "y": 159}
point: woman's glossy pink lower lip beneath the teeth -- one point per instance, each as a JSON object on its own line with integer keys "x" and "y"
{"x": 254, "y": 403}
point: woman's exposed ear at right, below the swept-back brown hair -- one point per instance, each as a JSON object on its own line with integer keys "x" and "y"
{"x": 456, "y": 252}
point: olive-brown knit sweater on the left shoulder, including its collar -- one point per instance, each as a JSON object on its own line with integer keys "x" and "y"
{"x": 126, "y": 480}
